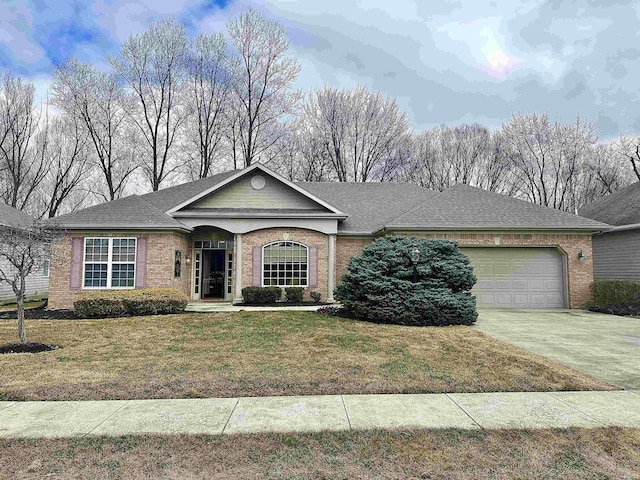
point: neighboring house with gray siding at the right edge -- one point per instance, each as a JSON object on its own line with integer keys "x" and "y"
{"x": 616, "y": 252}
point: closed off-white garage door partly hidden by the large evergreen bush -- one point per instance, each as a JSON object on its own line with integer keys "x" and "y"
{"x": 518, "y": 277}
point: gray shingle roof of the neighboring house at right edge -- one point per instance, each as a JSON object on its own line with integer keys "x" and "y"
{"x": 619, "y": 208}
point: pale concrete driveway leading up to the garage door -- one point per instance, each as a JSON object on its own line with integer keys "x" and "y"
{"x": 605, "y": 346}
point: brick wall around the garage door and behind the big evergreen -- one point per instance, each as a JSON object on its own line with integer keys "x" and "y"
{"x": 579, "y": 272}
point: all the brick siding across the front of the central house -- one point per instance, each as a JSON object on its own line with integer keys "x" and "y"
{"x": 161, "y": 246}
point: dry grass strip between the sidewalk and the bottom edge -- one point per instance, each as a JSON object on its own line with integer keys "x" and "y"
{"x": 602, "y": 453}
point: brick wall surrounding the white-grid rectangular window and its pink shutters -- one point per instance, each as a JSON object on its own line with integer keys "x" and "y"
{"x": 160, "y": 264}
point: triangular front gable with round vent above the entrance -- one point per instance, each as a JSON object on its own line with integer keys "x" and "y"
{"x": 256, "y": 187}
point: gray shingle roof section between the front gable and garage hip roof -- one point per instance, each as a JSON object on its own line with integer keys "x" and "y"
{"x": 369, "y": 206}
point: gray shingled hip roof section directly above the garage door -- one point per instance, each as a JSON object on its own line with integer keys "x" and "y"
{"x": 469, "y": 207}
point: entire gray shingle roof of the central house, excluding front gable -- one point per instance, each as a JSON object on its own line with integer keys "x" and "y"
{"x": 370, "y": 207}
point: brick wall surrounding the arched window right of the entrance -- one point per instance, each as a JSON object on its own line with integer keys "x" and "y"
{"x": 309, "y": 238}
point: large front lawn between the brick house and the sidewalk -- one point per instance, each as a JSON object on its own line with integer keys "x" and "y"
{"x": 266, "y": 353}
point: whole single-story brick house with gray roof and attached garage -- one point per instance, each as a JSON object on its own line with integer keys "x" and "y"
{"x": 212, "y": 237}
